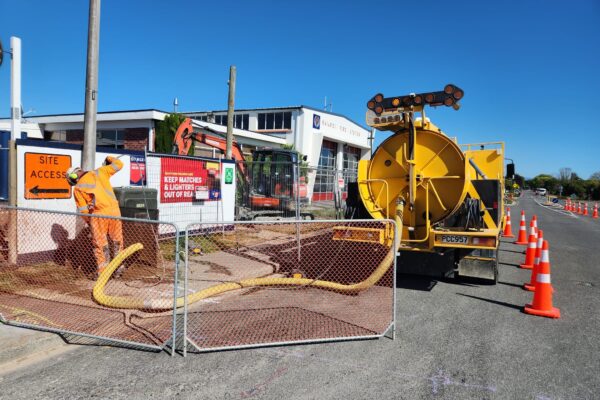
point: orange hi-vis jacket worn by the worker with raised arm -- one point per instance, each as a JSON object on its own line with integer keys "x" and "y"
{"x": 94, "y": 193}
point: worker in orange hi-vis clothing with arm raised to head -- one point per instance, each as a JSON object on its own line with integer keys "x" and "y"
{"x": 94, "y": 195}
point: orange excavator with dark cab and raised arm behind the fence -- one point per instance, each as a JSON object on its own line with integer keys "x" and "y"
{"x": 270, "y": 183}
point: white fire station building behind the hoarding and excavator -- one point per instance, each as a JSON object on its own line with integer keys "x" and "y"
{"x": 331, "y": 142}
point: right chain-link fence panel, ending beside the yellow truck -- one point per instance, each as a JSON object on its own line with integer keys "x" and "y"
{"x": 275, "y": 282}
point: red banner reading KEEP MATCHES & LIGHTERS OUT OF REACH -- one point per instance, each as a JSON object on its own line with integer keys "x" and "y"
{"x": 181, "y": 179}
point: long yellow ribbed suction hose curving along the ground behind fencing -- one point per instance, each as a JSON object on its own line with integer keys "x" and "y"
{"x": 166, "y": 303}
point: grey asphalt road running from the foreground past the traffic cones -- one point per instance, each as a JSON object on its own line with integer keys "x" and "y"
{"x": 455, "y": 341}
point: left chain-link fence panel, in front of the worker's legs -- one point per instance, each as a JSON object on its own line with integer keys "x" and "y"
{"x": 48, "y": 279}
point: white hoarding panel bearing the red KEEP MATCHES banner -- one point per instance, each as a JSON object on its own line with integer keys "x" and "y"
{"x": 191, "y": 188}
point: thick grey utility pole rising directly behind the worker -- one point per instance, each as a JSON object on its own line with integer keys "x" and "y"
{"x": 91, "y": 88}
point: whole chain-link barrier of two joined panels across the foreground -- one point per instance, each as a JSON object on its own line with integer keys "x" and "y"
{"x": 245, "y": 284}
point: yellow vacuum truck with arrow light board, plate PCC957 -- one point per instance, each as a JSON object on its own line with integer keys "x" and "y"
{"x": 447, "y": 198}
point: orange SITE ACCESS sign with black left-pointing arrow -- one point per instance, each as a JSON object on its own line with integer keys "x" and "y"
{"x": 45, "y": 176}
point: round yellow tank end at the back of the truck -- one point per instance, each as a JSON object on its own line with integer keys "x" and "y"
{"x": 439, "y": 169}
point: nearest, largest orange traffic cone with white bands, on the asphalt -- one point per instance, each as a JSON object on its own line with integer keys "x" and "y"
{"x": 542, "y": 296}
